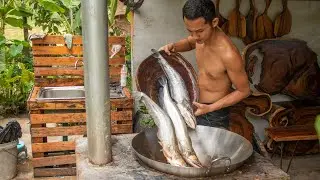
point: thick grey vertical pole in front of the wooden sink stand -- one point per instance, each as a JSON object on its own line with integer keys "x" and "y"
{"x": 96, "y": 72}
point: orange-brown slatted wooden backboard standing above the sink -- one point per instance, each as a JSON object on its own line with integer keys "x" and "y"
{"x": 54, "y": 62}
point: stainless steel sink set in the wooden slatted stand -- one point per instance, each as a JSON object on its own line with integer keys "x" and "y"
{"x": 72, "y": 92}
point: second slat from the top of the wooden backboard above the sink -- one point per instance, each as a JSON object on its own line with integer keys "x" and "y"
{"x": 62, "y": 50}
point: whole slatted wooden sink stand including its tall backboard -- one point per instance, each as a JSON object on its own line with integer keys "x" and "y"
{"x": 53, "y": 119}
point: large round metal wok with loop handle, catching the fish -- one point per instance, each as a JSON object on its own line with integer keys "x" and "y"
{"x": 219, "y": 150}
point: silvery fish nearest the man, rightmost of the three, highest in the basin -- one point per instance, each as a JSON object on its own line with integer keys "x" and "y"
{"x": 178, "y": 90}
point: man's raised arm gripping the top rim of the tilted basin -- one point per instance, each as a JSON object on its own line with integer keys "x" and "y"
{"x": 183, "y": 45}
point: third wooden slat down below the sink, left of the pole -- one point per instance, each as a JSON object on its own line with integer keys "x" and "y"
{"x": 58, "y": 131}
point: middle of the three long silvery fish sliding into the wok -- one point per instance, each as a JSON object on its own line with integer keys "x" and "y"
{"x": 180, "y": 127}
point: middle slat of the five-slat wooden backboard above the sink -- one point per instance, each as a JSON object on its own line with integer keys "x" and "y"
{"x": 69, "y": 61}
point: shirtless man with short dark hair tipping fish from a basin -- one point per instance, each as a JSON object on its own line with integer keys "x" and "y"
{"x": 219, "y": 63}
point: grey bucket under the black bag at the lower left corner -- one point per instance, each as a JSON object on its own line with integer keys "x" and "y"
{"x": 8, "y": 160}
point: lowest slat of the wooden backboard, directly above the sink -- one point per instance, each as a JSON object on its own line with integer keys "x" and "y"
{"x": 47, "y": 82}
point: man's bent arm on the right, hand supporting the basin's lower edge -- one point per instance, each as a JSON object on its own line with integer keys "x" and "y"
{"x": 236, "y": 72}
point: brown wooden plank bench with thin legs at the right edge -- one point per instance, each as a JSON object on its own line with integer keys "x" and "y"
{"x": 291, "y": 133}
